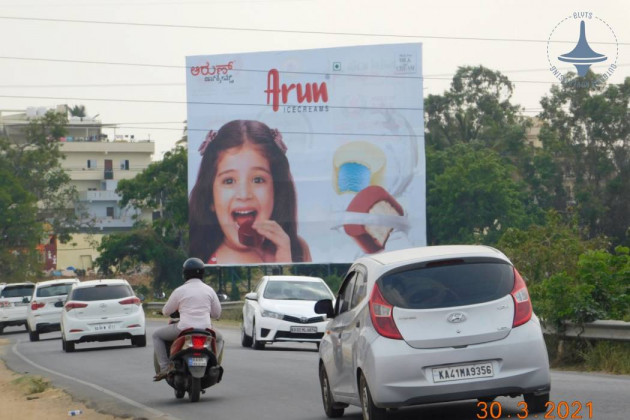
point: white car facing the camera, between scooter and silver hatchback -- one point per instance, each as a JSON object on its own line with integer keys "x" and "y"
{"x": 281, "y": 309}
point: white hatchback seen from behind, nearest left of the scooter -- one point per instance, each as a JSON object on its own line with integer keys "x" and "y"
{"x": 102, "y": 310}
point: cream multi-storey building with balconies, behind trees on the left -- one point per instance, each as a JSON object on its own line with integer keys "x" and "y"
{"x": 95, "y": 164}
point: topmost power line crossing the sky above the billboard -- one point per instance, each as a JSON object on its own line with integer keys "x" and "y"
{"x": 291, "y": 31}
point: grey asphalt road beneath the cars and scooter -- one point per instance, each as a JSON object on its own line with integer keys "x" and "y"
{"x": 279, "y": 383}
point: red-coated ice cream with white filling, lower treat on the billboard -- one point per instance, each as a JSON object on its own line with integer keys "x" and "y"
{"x": 373, "y": 200}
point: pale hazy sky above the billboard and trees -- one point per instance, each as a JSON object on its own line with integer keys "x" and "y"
{"x": 125, "y": 59}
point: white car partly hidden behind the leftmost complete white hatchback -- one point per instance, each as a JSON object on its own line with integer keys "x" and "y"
{"x": 44, "y": 312}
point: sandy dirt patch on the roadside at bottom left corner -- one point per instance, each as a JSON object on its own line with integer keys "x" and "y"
{"x": 31, "y": 397}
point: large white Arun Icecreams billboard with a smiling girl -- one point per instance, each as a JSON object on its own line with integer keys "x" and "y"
{"x": 312, "y": 156}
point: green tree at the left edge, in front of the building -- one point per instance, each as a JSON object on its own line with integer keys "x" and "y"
{"x": 36, "y": 197}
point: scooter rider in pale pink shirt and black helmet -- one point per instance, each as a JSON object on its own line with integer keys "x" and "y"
{"x": 197, "y": 303}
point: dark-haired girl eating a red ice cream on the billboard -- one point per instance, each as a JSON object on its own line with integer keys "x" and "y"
{"x": 243, "y": 207}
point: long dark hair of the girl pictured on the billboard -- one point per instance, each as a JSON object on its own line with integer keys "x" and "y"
{"x": 205, "y": 232}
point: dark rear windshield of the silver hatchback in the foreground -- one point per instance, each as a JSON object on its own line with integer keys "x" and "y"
{"x": 446, "y": 285}
